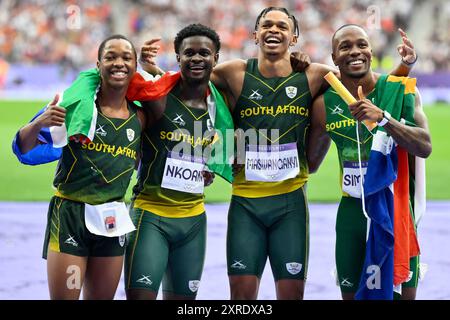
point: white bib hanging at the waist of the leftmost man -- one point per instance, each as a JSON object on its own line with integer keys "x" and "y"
{"x": 110, "y": 219}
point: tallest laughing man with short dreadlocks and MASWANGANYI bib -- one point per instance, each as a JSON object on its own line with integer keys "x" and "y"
{"x": 268, "y": 215}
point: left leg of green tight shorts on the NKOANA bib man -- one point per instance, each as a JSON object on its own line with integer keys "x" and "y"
{"x": 146, "y": 254}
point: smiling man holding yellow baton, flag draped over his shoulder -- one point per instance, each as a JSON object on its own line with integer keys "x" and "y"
{"x": 332, "y": 118}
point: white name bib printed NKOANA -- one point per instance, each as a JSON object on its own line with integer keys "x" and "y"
{"x": 184, "y": 174}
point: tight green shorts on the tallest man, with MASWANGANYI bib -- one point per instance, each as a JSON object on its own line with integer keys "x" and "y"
{"x": 276, "y": 227}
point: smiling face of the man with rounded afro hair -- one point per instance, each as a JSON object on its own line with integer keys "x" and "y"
{"x": 197, "y": 57}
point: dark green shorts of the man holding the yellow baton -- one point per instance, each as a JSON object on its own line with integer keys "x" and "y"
{"x": 351, "y": 227}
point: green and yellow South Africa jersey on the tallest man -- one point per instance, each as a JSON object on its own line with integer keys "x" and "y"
{"x": 280, "y": 103}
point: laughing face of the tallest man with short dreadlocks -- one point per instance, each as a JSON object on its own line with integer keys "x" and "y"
{"x": 275, "y": 33}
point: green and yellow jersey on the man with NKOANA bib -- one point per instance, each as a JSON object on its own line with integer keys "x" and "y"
{"x": 180, "y": 128}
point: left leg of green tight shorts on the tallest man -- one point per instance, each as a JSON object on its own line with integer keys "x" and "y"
{"x": 246, "y": 240}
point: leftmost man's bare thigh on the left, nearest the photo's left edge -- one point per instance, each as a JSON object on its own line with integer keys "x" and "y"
{"x": 65, "y": 275}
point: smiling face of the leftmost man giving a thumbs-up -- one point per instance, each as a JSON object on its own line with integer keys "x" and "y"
{"x": 117, "y": 63}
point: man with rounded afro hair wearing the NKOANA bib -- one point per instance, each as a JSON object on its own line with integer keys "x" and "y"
{"x": 169, "y": 244}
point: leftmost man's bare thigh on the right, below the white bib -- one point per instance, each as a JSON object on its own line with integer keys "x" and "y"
{"x": 102, "y": 277}
